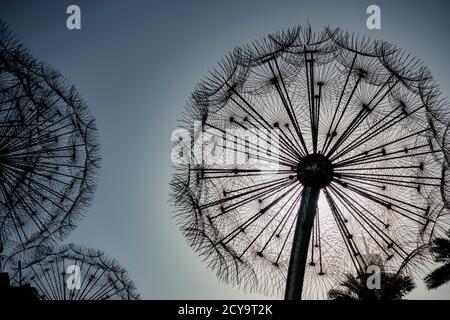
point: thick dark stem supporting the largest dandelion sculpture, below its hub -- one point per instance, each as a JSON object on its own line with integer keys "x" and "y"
{"x": 300, "y": 245}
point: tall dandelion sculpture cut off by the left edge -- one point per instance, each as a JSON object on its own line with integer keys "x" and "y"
{"x": 48, "y": 152}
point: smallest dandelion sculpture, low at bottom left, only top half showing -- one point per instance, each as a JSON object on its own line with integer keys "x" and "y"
{"x": 73, "y": 272}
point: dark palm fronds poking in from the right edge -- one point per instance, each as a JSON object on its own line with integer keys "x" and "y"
{"x": 441, "y": 250}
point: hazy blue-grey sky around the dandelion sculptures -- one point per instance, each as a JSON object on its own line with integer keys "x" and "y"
{"x": 135, "y": 62}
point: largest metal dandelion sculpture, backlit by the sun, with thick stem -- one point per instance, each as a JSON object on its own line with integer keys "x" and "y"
{"x": 304, "y": 154}
